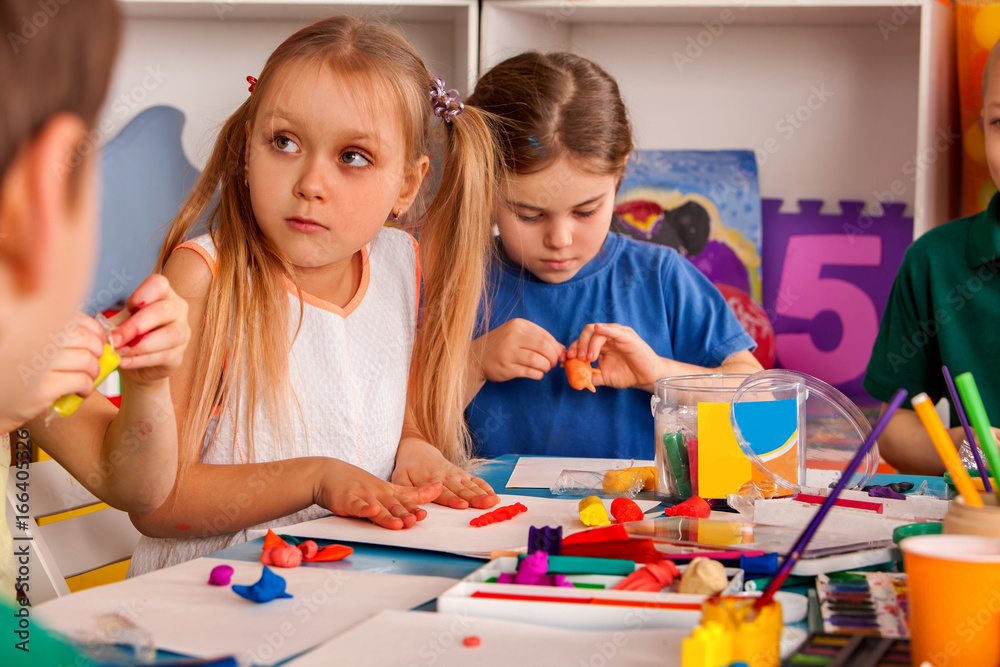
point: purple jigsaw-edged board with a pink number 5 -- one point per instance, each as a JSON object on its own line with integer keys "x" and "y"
{"x": 826, "y": 280}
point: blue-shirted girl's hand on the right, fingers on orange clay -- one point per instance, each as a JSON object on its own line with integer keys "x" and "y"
{"x": 623, "y": 358}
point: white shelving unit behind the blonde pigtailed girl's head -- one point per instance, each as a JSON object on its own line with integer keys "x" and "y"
{"x": 196, "y": 54}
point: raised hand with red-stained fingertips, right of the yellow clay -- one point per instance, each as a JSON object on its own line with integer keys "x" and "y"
{"x": 152, "y": 340}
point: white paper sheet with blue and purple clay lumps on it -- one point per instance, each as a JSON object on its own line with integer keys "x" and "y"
{"x": 186, "y": 615}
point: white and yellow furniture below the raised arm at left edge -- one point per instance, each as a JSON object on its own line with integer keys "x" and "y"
{"x": 74, "y": 540}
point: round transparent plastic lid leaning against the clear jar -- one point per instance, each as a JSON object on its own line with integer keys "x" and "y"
{"x": 799, "y": 431}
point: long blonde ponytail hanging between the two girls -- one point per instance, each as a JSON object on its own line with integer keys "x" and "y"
{"x": 455, "y": 247}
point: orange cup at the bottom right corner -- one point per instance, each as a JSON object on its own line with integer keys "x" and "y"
{"x": 954, "y": 598}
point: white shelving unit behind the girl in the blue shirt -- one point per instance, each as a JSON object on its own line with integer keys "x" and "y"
{"x": 848, "y": 99}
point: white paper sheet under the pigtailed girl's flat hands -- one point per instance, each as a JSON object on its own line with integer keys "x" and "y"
{"x": 448, "y": 530}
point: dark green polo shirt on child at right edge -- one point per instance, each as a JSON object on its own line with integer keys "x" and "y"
{"x": 944, "y": 310}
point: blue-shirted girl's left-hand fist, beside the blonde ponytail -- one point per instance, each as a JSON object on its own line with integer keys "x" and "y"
{"x": 517, "y": 348}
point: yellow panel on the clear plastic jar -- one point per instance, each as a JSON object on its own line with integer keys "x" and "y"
{"x": 722, "y": 466}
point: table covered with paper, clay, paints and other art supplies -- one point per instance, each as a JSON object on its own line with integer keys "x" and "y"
{"x": 598, "y": 561}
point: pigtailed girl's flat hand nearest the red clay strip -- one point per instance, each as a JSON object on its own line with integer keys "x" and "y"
{"x": 418, "y": 460}
